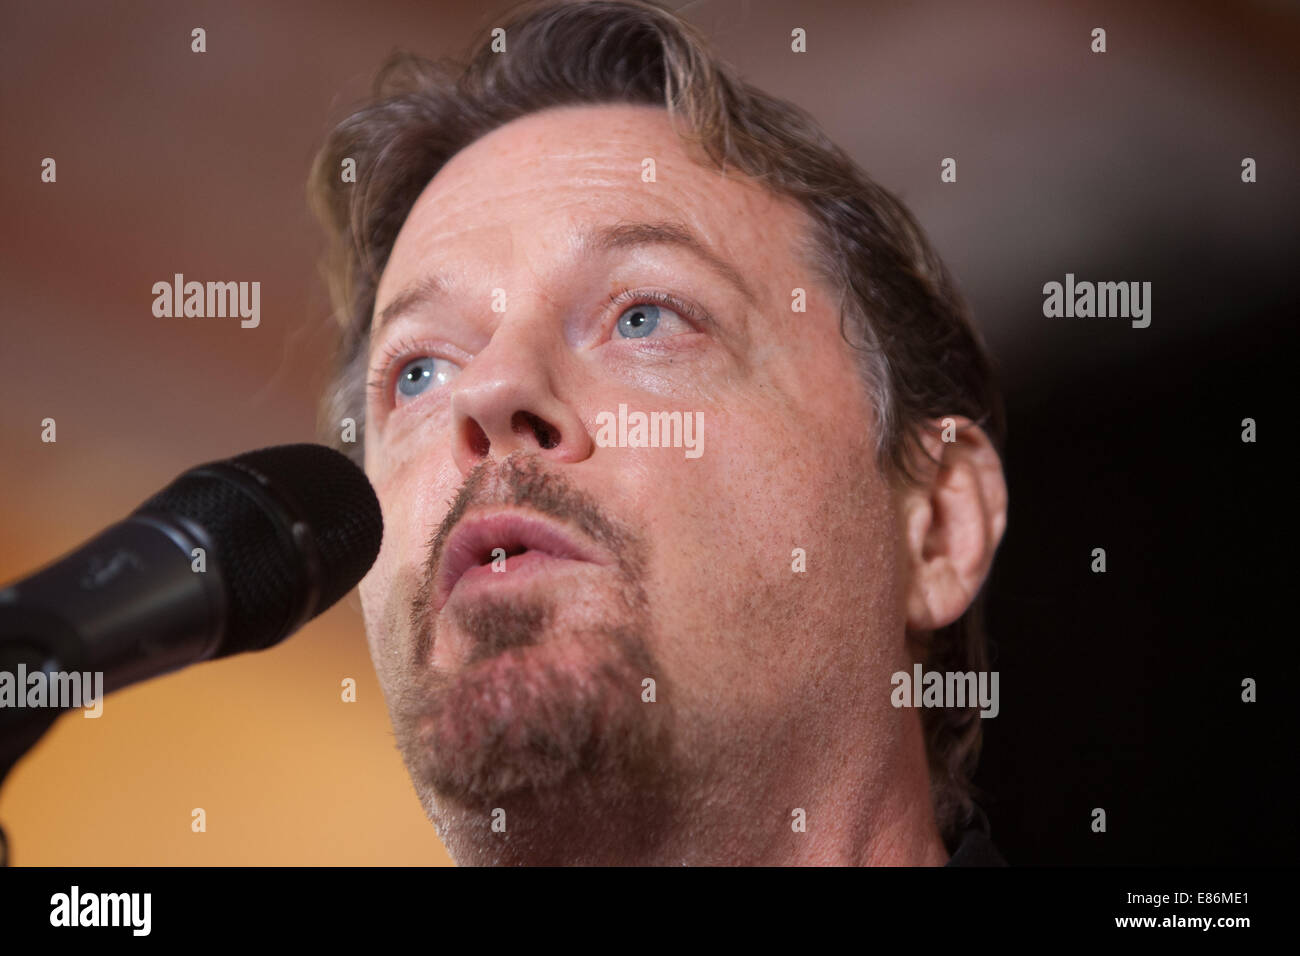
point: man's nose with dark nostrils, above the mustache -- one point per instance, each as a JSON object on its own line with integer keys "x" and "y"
{"x": 505, "y": 401}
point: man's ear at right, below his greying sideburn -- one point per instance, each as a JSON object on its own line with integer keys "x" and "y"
{"x": 954, "y": 522}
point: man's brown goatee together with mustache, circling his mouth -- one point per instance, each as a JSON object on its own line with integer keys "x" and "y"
{"x": 541, "y": 706}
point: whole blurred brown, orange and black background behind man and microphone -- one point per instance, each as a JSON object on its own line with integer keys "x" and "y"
{"x": 1120, "y": 691}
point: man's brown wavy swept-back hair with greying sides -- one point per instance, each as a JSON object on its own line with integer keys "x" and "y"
{"x": 921, "y": 357}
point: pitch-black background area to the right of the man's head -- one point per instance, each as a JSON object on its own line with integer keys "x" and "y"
{"x": 1124, "y": 690}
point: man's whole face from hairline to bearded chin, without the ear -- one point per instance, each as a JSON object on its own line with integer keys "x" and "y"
{"x": 492, "y": 409}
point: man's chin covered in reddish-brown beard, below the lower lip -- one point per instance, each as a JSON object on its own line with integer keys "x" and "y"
{"x": 531, "y": 721}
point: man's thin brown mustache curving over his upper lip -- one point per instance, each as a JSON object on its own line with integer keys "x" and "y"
{"x": 521, "y": 481}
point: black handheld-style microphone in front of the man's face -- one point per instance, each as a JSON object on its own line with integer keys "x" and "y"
{"x": 233, "y": 556}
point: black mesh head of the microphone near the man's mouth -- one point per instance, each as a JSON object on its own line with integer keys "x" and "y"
{"x": 266, "y": 574}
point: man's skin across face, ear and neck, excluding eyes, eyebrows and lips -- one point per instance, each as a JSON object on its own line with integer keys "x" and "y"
{"x": 522, "y": 699}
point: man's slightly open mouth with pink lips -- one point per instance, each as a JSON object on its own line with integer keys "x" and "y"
{"x": 504, "y": 546}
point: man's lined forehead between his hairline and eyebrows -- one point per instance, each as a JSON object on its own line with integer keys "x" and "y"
{"x": 519, "y": 189}
